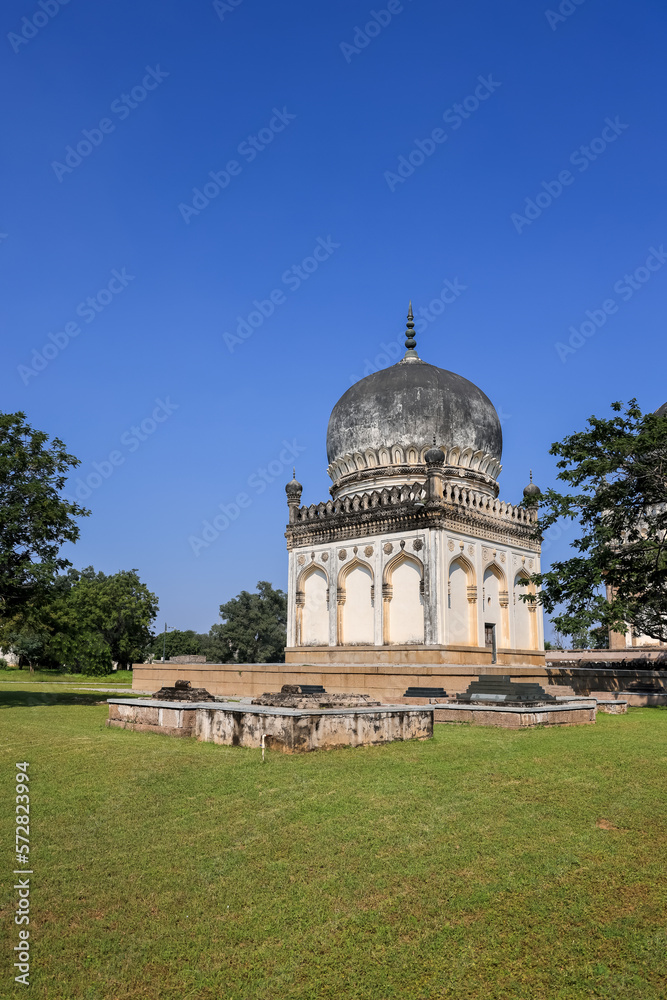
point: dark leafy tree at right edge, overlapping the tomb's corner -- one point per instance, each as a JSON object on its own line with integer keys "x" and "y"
{"x": 617, "y": 469}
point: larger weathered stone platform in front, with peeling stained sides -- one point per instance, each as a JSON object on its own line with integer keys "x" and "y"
{"x": 284, "y": 729}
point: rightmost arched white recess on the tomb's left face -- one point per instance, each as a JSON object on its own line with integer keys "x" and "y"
{"x": 403, "y": 600}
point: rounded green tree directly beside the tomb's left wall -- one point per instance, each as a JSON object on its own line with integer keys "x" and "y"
{"x": 254, "y": 628}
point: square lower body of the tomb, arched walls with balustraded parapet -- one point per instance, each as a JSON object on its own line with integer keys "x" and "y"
{"x": 403, "y": 568}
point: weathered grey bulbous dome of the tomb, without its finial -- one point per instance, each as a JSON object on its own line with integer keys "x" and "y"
{"x": 406, "y": 405}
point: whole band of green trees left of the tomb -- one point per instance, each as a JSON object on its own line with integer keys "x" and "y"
{"x": 53, "y": 615}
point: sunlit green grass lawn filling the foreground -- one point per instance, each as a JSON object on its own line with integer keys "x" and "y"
{"x": 481, "y": 864}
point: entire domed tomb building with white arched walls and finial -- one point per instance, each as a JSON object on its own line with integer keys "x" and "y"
{"x": 414, "y": 559}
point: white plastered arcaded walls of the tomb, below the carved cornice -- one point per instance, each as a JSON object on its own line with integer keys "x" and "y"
{"x": 388, "y": 618}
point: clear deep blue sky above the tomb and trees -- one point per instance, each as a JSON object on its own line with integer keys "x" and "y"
{"x": 169, "y": 93}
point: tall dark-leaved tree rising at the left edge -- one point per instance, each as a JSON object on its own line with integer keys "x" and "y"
{"x": 36, "y": 518}
